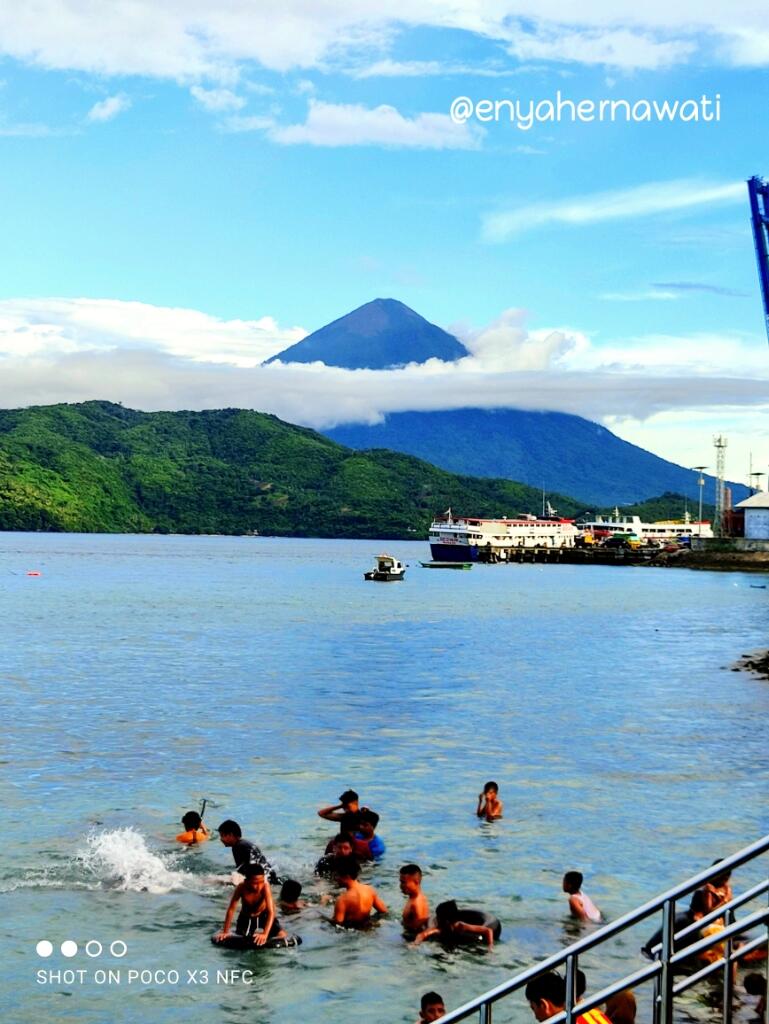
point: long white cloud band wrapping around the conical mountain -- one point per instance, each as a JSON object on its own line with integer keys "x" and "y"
{"x": 154, "y": 358}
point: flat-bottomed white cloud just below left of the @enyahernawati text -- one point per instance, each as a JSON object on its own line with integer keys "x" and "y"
{"x": 353, "y": 124}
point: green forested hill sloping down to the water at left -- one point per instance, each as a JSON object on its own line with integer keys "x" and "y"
{"x": 100, "y": 467}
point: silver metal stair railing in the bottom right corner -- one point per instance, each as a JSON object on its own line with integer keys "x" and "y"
{"x": 669, "y": 954}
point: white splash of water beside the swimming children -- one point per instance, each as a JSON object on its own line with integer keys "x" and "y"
{"x": 121, "y": 859}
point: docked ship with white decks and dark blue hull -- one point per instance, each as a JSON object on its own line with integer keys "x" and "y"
{"x": 462, "y": 539}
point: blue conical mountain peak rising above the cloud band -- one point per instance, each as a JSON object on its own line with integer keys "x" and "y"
{"x": 380, "y": 335}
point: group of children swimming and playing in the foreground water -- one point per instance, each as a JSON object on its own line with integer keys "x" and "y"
{"x": 357, "y": 843}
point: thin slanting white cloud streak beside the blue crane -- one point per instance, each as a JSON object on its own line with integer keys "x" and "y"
{"x": 642, "y": 201}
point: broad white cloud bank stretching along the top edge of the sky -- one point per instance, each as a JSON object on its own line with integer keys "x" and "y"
{"x": 192, "y": 40}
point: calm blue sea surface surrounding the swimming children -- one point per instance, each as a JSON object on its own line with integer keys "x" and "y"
{"x": 141, "y": 674}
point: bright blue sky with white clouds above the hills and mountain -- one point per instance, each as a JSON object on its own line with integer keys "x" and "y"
{"x": 241, "y": 174}
